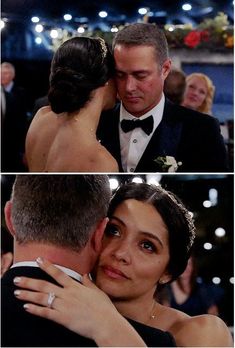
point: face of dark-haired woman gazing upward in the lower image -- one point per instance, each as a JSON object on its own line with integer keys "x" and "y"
{"x": 135, "y": 251}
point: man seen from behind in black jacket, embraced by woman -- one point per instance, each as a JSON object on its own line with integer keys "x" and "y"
{"x": 61, "y": 218}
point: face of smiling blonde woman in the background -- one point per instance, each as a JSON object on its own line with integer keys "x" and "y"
{"x": 195, "y": 93}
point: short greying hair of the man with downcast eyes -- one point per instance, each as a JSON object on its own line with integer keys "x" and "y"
{"x": 144, "y": 34}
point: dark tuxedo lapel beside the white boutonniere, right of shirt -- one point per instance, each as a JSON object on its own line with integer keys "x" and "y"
{"x": 164, "y": 141}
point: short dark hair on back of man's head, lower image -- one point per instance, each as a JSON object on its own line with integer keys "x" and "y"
{"x": 61, "y": 210}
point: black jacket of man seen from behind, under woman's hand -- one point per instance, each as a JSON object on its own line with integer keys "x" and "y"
{"x": 21, "y": 329}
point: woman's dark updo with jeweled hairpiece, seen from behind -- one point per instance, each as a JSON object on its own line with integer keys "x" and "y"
{"x": 79, "y": 66}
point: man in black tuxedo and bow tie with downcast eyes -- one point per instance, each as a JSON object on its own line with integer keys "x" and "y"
{"x": 145, "y": 128}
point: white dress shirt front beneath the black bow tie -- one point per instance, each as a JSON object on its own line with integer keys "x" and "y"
{"x": 134, "y": 143}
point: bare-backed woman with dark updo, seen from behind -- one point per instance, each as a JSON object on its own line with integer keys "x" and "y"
{"x": 62, "y": 136}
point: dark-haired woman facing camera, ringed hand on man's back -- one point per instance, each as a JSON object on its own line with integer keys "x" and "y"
{"x": 146, "y": 244}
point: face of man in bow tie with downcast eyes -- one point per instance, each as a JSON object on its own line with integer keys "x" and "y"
{"x": 139, "y": 77}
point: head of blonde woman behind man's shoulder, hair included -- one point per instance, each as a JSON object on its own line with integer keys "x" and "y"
{"x": 199, "y": 93}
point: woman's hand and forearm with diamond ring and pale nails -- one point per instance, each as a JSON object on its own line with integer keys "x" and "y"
{"x": 82, "y": 308}
